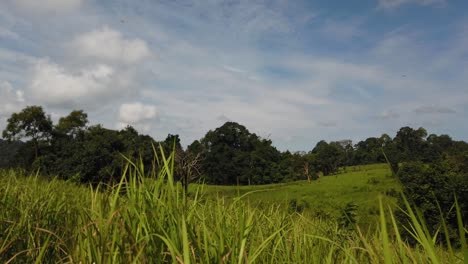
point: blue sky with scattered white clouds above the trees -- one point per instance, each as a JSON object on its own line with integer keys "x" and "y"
{"x": 295, "y": 72}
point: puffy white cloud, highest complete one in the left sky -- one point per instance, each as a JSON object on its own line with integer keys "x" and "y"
{"x": 109, "y": 44}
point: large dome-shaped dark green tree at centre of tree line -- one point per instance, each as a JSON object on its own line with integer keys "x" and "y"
{"x": 233, "y": 155}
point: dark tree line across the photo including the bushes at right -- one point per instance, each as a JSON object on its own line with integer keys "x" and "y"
{"x": 433, "y": 169}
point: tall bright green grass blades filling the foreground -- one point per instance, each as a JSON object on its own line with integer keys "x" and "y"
{"x": 148, "y": 219}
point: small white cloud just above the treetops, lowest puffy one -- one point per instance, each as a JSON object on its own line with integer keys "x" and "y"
{"x": 136, "y": 113}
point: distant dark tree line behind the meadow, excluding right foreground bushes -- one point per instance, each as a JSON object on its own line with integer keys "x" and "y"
{"x": 228, "y": 155}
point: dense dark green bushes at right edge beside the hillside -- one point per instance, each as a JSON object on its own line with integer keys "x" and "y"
{"x": 433, "y": 188}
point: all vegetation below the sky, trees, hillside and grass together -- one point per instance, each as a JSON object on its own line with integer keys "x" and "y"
{"x": 135, "y": 204}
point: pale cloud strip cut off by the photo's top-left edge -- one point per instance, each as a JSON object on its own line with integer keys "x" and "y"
{"x": 47, "y": 5}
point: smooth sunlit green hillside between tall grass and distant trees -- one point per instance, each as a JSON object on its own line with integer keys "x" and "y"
{"x": 360, "y": 185}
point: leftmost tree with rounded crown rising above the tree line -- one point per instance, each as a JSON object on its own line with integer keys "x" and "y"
{"x": 31, "y": 123}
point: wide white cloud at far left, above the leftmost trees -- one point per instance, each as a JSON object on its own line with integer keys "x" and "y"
{"x": 54, "y": 85}
